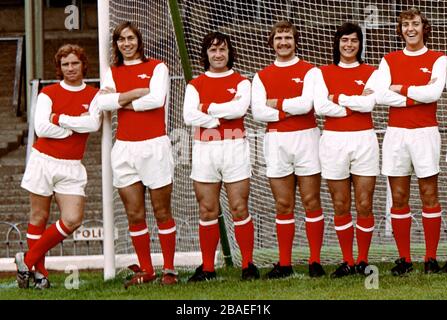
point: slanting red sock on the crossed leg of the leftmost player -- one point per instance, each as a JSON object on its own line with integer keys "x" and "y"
{"x": 55, "y": 234}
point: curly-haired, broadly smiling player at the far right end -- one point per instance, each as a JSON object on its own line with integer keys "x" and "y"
{"x": 411, "y": 82}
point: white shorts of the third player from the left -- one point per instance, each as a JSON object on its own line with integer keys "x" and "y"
{"x": 226, "y": 160}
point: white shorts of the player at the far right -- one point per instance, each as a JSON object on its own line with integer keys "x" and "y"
{"x": 405, "y": 150}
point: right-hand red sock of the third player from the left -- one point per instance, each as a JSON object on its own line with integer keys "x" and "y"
{"x": 244, "y": 232}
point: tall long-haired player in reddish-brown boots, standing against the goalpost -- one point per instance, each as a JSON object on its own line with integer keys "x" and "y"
{"x": 136, "y": 86}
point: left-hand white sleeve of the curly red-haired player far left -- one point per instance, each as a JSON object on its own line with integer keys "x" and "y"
{"x": 42, "y": 125}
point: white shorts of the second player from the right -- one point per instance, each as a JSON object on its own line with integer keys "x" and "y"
{"x": 343, "y": 153}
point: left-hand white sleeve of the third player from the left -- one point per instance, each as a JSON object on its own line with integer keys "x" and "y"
{"x": 191, "y": 114}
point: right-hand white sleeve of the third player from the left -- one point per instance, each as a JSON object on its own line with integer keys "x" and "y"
{"x": 233, "y": 109}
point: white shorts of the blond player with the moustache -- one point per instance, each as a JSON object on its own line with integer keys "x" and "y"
{"x": 292, "y": 152}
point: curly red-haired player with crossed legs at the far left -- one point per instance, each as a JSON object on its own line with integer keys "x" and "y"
{"x": 64, "y": 115}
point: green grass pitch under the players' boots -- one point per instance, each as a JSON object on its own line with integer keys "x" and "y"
{"x": 228, "y": 286}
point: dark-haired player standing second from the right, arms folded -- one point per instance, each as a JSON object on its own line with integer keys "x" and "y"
{"x": 349, "y": 150}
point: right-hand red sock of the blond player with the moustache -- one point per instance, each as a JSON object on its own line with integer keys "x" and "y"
{"x": 314, "y": 232}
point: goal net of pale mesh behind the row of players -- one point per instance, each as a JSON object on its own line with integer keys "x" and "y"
{"x": 248, "y": 23}
